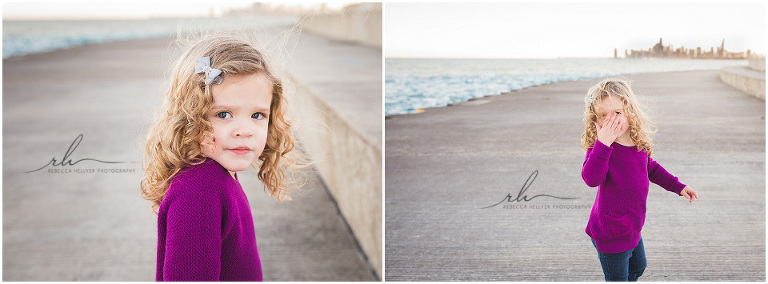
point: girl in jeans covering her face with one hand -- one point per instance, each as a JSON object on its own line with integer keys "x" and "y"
{"x": 618, "y": 161}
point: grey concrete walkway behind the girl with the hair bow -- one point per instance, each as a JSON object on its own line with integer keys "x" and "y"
{"x": 94, "y": 226}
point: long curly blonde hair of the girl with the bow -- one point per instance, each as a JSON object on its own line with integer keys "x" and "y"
{"x": 173, "y": 142}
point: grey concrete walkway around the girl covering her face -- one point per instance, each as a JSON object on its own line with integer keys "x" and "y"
{"x": 444, "y": 165}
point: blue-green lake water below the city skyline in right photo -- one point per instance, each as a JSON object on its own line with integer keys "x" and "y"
{"x": 413, "y": 84}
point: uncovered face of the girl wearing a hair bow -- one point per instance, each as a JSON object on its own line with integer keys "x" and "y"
{"x": 239, "y": 116}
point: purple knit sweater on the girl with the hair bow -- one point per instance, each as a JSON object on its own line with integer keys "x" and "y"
{"x": 205, "y": 228}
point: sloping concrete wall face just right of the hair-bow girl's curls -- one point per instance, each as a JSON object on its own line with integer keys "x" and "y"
{"x": 350, "y": 165}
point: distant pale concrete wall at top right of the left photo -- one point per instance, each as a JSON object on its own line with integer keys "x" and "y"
{"x": 357, "y": 23}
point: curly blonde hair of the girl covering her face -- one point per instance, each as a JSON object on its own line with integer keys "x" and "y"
{"x": 640, "y": 125}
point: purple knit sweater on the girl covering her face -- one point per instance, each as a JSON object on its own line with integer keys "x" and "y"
{"x": 621, "y": 174}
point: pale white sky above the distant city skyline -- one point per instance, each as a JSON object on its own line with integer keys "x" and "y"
{"x": 551, "y": 30}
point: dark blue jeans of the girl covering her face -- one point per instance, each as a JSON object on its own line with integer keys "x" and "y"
{"x": 623, "y": 266}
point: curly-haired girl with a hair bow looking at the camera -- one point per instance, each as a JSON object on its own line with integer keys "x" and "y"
{"x": 224, "y": 112}
